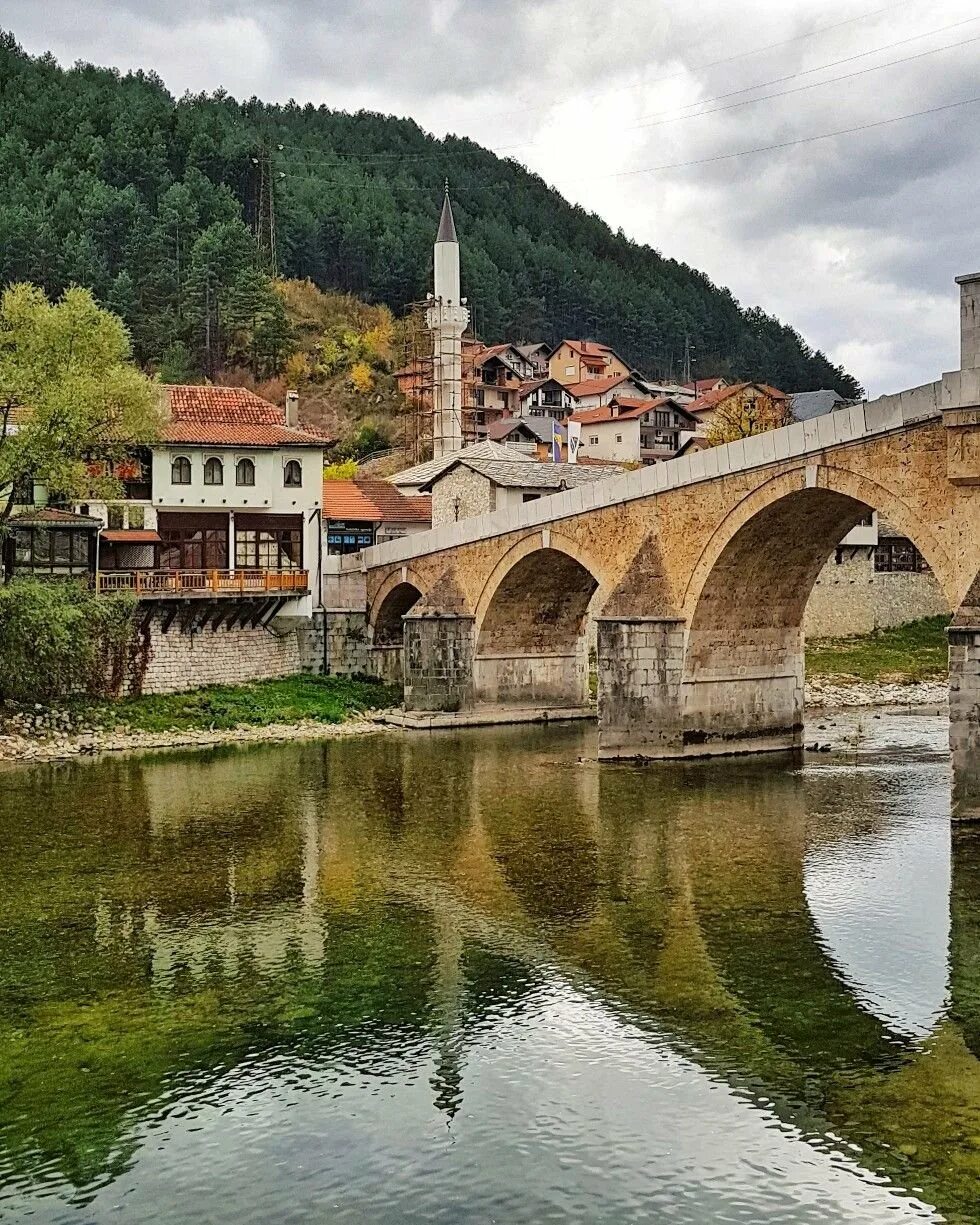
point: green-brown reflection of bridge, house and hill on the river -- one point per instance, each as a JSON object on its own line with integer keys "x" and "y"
{"x": 378, "y": 905}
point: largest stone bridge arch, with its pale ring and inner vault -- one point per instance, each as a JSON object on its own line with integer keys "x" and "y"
{"x": 743, "y": 674}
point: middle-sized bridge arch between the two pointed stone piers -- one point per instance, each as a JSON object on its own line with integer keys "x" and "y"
{"x": 531, "y": 627}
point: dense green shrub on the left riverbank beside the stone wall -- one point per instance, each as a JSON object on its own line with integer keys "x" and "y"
{"x": 58, "y": 639}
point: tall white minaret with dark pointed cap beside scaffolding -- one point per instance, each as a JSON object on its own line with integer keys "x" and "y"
{"x": 448, "y": 320}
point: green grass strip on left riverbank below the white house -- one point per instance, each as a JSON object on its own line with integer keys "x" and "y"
{"x": 263, "y": 704}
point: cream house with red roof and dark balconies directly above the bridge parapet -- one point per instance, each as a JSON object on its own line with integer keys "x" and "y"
{"x": 634, "y": 431}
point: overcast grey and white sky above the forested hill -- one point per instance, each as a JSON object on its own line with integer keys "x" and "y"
{"x": 854, "y": 239}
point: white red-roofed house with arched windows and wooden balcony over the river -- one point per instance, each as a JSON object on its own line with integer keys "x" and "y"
{"x": 226, "y": 503}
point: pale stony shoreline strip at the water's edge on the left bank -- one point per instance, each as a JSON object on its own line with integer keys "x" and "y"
{"x": 62, "y": 745}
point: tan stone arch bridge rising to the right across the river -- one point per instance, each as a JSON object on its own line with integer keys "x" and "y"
{"x": 696, "y": 574}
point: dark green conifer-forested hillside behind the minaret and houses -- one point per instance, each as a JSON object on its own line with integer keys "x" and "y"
{"x": 177, "y": 214}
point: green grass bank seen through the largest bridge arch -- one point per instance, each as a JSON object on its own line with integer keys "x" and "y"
{"x": 906, "y": 656}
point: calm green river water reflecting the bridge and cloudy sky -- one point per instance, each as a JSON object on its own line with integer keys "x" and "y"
{"x": 477, "y": 978}
